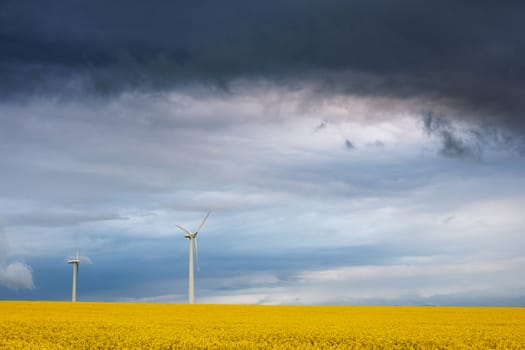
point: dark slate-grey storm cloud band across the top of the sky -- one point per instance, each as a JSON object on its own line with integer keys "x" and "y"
{"x": 469, "y": 54}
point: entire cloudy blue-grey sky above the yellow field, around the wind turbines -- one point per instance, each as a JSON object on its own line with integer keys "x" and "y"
{"x": 350, "y": 152}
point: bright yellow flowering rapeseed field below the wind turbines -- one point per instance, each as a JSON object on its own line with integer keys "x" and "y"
{"x": 61, "y": 325}
